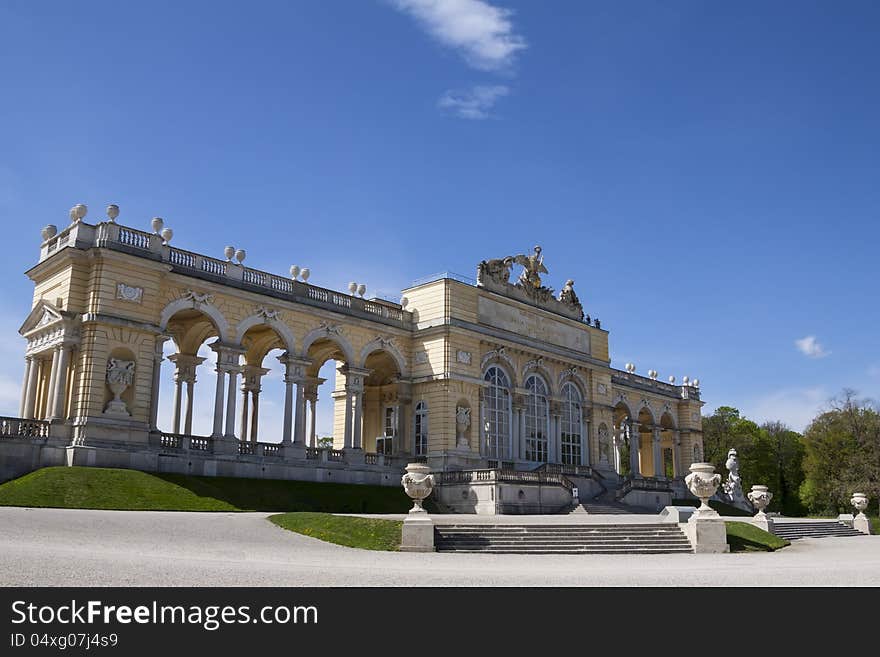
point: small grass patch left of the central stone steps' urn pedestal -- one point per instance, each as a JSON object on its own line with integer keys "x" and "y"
{"x": 365, "y": 533}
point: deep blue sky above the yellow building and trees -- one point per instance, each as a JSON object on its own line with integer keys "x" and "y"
{"x": 706, "y": 172}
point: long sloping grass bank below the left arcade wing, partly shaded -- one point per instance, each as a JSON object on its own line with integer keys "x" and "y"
{"x": 109, "y": 488}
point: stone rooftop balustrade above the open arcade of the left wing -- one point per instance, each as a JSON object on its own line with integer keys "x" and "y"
{"x": 151, "y": 245}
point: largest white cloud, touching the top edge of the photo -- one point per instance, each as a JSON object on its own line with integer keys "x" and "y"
{"x": 481, "y": 33}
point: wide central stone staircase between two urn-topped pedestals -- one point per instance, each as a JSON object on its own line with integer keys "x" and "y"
{"x": 657, "y": 538}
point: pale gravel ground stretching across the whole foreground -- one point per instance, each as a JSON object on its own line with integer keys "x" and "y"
{"x": 46, "y": 547}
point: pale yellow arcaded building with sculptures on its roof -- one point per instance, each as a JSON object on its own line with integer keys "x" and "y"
{"x": 502, "y": 386}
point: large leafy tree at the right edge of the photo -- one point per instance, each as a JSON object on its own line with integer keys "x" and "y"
{"x": 842, "y": 454}
